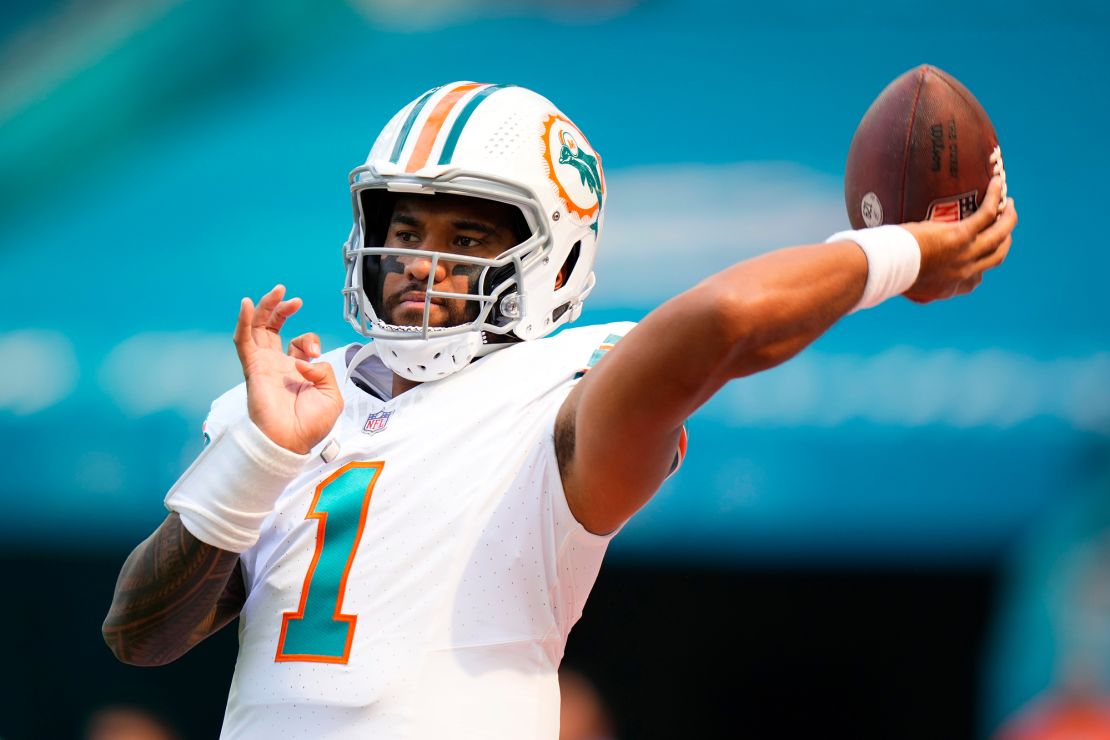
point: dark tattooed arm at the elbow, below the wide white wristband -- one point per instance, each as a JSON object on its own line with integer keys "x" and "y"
{"x": 173, "y": 593}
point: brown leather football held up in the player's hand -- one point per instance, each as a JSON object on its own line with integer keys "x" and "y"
{"x": 925, "y": 150}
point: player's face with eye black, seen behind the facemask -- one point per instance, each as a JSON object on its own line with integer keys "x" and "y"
{"x": 453, "y": 225}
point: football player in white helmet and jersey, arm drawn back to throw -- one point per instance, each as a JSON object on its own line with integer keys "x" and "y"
{"x": 409, "y": 530}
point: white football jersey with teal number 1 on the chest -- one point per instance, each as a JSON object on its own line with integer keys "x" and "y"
{"x": 423, "y": 583}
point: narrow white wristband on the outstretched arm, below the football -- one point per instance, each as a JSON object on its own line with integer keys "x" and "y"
{"x": 894, "y": 260}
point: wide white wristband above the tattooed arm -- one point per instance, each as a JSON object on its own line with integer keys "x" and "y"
{"x": 233, "y": 486}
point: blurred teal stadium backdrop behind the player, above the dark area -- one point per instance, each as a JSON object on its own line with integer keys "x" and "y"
{"x": 160, "y": 160}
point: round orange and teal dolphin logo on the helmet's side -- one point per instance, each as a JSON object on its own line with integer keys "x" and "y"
{"x": 576, "y": 170}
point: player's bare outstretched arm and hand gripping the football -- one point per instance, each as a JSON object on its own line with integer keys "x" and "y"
{"x": 619, "y": 429}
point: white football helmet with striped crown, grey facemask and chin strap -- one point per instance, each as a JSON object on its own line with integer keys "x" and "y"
{"x": 490, "y": 141}
